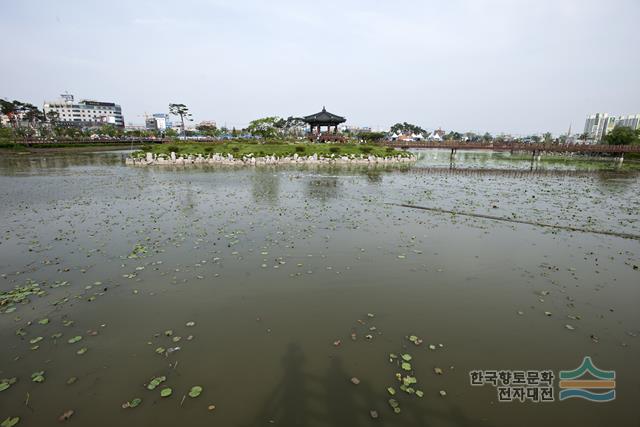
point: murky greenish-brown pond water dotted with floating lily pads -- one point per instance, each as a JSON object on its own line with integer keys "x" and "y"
{"x": 278, "y": 268}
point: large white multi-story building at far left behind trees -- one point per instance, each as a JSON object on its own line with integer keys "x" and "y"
{"x": 84, "y": 113}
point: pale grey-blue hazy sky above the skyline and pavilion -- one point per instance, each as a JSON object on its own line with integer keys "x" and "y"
{"x": 518, "y": 66}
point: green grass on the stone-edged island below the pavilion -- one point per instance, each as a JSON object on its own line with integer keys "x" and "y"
{"x": 238, "y": 149}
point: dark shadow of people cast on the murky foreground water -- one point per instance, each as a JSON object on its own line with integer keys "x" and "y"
{"x": 301, "y": 399}
